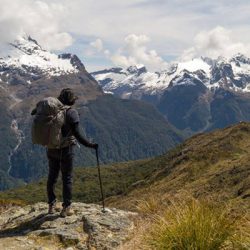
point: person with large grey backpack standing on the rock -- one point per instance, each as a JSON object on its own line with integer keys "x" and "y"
{"x": 60, "y": 154}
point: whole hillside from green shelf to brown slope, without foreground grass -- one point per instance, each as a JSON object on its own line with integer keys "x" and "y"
{"x": 215, "y": 165}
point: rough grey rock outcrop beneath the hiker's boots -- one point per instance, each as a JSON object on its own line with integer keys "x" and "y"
{"x": 30, "y": 227}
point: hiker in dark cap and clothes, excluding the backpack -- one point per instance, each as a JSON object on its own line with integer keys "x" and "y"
{"x": 62, "y": 158}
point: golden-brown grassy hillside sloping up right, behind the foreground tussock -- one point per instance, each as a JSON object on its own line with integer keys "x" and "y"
{"x": 214, "y": 165}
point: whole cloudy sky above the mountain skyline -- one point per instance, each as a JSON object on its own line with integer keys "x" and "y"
{"x": 110, "y": 33}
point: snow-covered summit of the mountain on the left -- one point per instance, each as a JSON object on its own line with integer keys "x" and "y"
{"x": 27, "y": 58}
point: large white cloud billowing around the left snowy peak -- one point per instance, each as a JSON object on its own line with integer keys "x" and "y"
{"x": 39, "y": 19}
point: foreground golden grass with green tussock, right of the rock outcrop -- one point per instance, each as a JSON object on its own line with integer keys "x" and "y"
{"x": 181, "y": 222}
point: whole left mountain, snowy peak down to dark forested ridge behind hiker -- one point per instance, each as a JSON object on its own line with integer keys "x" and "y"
{"x": 125, "y": 129}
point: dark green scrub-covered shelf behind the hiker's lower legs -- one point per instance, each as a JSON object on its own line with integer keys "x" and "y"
{"x": 117, "y": 179}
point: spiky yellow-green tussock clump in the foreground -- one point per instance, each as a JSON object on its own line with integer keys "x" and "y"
{"x": 194, "y": 225}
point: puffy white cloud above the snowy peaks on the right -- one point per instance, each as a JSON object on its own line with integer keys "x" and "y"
{"x": 214, "y": 43}
